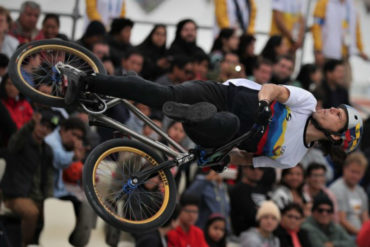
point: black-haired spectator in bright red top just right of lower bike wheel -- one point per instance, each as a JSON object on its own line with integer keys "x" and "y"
{"x": 187, "y": 234}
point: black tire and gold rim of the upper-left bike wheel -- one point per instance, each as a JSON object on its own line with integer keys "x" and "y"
{"x": 27, "y": 50}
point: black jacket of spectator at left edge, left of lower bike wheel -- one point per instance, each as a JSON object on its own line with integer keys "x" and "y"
{"x": 29, "y": 170}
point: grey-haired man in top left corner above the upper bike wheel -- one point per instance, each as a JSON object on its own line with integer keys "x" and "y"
{"x": 24, "y": 28}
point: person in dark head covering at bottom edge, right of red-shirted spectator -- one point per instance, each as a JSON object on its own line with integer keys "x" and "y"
{"x": 215, "y": 231}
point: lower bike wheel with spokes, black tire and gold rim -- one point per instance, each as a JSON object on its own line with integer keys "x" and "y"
{"x": 107, "y": 171}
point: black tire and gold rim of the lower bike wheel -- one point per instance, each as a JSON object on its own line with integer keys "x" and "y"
{"x": 91, "y": 180}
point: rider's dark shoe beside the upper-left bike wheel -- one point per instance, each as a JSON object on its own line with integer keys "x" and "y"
{"x": 71, "y": 80}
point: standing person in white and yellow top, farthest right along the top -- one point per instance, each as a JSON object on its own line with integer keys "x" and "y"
{"x": 341, "y": 20}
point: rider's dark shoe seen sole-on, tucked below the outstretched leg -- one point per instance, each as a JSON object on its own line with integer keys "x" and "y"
{"x": 189, "y": 113}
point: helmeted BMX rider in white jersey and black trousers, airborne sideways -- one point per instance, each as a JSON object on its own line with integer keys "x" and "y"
{"x": 214, "y": 114}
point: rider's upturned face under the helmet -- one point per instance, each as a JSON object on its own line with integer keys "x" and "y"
{"x": 333, "y": 119}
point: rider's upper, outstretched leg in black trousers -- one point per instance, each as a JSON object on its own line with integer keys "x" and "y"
{"x": 135, "y": 88}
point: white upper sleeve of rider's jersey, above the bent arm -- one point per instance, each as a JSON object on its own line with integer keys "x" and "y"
{"x": 300, "y": 100}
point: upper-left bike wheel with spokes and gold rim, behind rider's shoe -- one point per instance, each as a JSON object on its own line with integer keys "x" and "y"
{"x": 32, "y": 68}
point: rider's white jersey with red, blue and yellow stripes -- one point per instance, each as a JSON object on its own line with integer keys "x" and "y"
{"x": 282, "y": 145}
